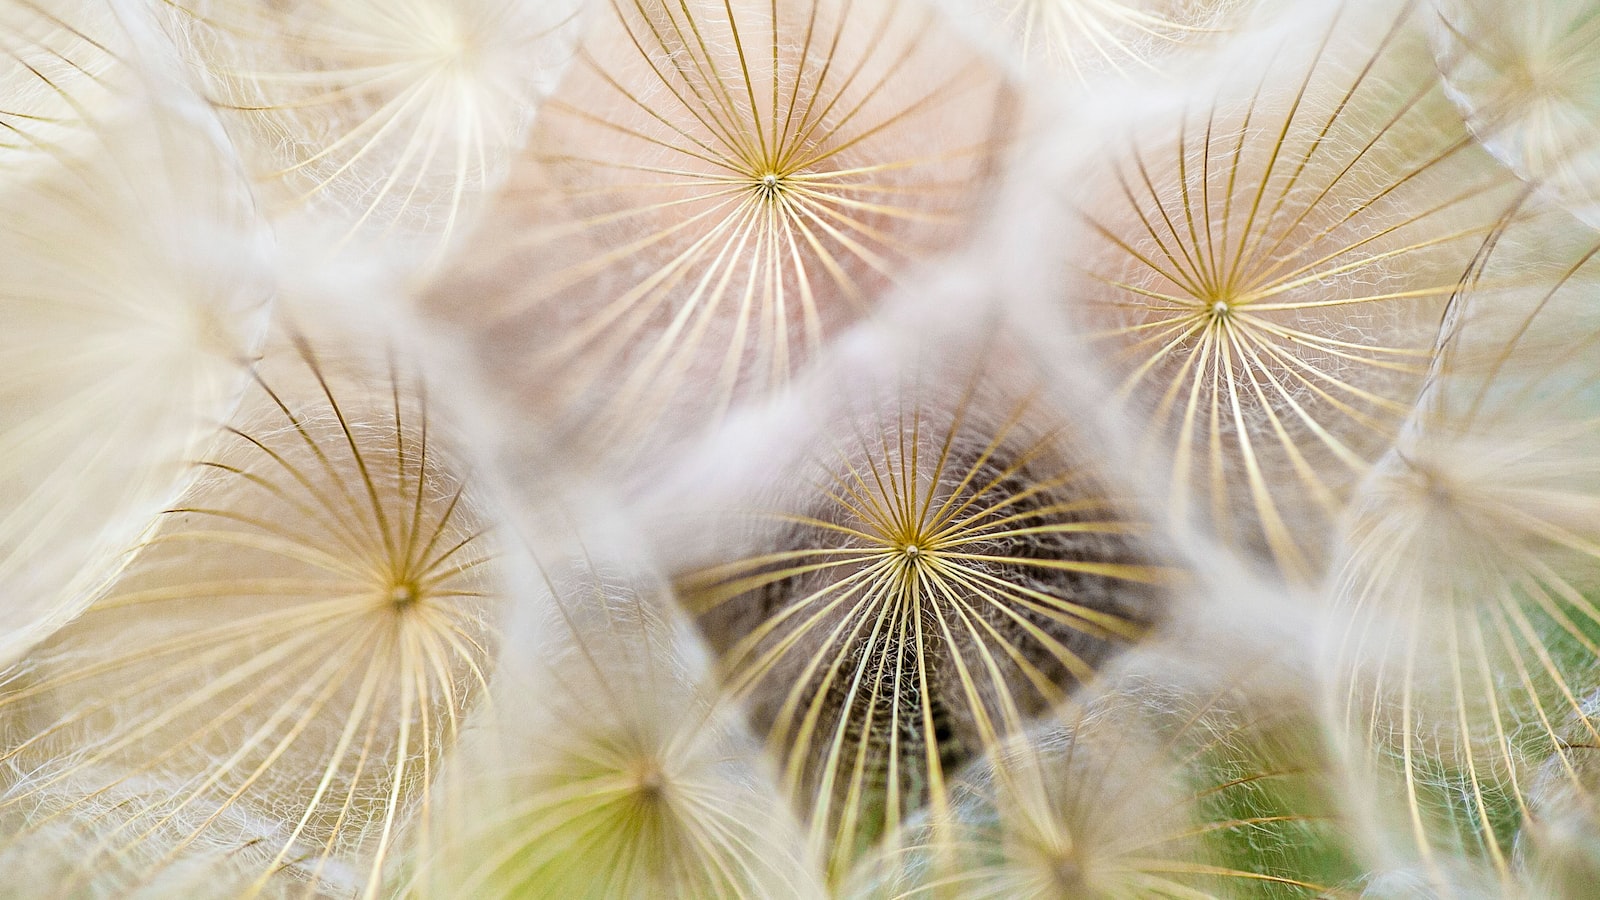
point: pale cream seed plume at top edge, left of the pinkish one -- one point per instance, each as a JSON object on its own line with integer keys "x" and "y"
{"x": 383, "y": 116}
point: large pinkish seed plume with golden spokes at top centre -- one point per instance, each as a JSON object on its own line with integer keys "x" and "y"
{"x": 711, "y": 195}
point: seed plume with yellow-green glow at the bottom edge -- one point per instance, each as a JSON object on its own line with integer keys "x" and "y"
{"x": 609, "y": 768}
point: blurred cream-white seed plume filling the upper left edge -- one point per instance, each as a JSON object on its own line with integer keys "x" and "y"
{"x": 135, "y": 284}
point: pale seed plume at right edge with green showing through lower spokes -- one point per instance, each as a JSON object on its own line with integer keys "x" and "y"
{"x": 1470, "y": 670}
